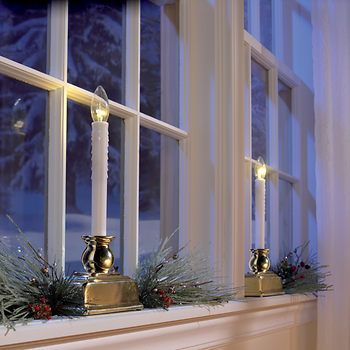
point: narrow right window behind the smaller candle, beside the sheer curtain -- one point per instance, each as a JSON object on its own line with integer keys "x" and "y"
{"x": 273, "y": 122}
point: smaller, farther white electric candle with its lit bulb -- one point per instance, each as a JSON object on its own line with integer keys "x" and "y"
{"x": 260, "y": 204}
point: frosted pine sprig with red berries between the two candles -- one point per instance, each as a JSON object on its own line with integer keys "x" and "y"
{"x": 165, "y": 278}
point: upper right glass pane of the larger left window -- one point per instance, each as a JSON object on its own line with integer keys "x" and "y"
{"x": 159, "y": 80}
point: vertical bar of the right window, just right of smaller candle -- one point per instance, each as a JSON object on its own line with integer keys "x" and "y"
{"x": 273, "y": 161}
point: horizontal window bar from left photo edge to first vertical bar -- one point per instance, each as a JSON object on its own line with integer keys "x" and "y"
{"x": 29, "y": 75}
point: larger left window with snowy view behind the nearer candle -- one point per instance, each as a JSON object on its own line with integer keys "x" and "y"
{"x": 45, "y": 148}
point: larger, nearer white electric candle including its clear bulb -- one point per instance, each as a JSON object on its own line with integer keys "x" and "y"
{"x": 99, "y": 168}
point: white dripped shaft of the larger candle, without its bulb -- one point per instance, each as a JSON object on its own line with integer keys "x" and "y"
{"x": 99, "y": 177}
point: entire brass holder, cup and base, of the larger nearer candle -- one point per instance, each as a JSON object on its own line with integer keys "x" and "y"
{"x": 105, "y": 291}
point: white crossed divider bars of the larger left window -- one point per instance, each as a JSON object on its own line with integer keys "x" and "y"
{"x": 60, "y": 91}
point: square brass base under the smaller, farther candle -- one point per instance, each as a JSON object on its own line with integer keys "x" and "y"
{"x": 263, "y": 285}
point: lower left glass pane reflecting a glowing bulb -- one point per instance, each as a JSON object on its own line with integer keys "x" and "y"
{"x": 22, "y": 161}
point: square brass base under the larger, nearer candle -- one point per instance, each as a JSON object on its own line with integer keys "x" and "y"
{"x": 108, "y": 293}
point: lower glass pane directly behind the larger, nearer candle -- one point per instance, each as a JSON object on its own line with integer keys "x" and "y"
{"x": 78, "y": 195}
